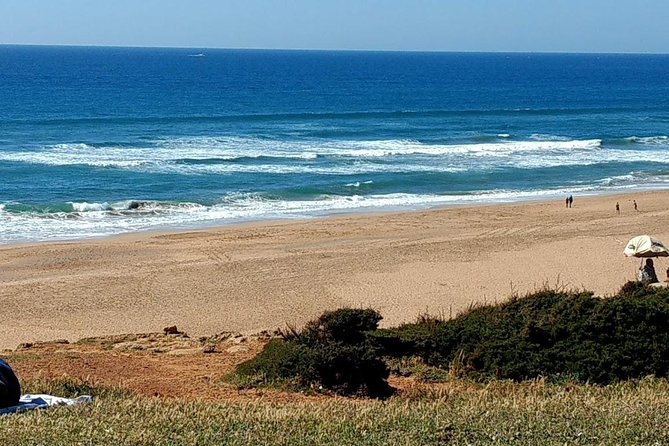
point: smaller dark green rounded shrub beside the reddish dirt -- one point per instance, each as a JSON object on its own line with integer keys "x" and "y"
{"x": 333, "y": 351}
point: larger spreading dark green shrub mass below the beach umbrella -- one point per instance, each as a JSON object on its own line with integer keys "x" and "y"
{"x": 550, "y": 334}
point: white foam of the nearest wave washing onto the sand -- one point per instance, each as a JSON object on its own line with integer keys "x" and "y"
{"x": 90, "y": 222}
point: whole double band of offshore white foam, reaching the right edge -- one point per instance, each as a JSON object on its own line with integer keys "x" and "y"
{"x": 196, "y": 156}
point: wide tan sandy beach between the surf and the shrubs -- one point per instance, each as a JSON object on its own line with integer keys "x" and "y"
{"x": 263, "y": 276}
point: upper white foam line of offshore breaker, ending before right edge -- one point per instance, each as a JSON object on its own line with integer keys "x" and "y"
{"x": 232, "y": 148}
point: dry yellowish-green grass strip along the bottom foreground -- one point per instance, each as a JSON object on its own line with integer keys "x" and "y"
{"x": 632, "y": 413}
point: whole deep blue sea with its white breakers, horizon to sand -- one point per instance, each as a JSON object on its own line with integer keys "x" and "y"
{"x": 101, "y": 141}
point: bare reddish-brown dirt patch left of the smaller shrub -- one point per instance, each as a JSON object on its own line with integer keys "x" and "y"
{"x": 152, "y": 365}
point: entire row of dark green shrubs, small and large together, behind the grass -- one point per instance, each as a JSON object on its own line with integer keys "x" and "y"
{"x": 556, "y": 334}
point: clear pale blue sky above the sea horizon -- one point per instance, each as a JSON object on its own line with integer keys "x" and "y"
{"x": 431, "y": 25}
